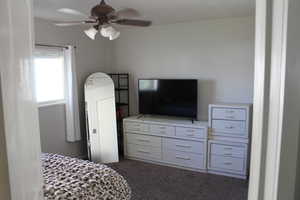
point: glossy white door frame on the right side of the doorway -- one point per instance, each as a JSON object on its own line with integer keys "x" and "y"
{"x": 269, "y": 89}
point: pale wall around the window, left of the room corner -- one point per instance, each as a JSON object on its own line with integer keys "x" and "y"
{"x": 91, "y": 56}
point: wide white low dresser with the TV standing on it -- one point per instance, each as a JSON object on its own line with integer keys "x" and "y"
{"x": 167, "y": 141}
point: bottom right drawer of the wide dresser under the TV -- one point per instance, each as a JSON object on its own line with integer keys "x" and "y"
{"x": 184, "y": 159}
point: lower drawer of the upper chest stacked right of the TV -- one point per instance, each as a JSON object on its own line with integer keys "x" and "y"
{"x": 231, "y": 127}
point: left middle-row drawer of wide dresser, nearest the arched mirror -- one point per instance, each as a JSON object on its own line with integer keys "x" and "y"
{"x": 143, "y": 140}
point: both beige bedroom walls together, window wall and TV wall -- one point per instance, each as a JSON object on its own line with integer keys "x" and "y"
{"x": 219, "y": 53}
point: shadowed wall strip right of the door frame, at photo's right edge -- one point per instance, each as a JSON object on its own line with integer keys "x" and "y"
{"x": 289, "y": 179}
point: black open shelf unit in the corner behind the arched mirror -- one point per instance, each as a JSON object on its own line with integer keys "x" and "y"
{"x": 121, "y": 82}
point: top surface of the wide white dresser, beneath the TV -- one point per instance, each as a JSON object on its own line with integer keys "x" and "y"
{"x": 168, "y": 120}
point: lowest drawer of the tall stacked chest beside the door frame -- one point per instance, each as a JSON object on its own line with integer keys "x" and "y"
{"x": 227, "y": 164}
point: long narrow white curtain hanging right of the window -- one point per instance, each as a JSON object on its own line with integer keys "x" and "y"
{"x": 72, "y": 105}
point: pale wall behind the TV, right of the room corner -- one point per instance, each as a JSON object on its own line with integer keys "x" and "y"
{"x": 219, "y": 53}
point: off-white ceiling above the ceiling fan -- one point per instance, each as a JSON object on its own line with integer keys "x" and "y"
{"x": 159, "y": 11}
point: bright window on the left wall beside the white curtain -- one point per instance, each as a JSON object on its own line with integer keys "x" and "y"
{"x": 50, "y": 75}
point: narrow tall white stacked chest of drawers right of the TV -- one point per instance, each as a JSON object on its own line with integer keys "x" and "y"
{"x": 229, "y": 139}
